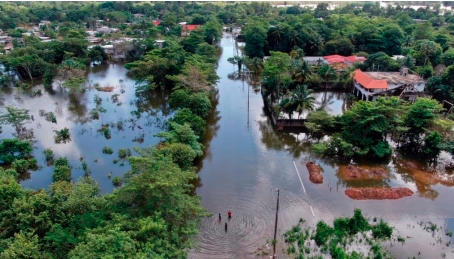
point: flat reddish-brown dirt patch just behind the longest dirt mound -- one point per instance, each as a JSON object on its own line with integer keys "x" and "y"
{"x": 352, "y": 173}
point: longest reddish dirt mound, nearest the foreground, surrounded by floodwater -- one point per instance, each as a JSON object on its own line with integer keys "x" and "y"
{"x": 378, "y": 193}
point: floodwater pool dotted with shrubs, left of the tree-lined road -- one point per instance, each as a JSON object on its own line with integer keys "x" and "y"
{"x": 87, "y": 140}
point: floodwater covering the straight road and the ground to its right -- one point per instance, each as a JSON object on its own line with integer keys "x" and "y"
{"x": 248, "y": 159}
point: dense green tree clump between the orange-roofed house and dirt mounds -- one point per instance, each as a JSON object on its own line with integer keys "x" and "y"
{"x": 366, "y": 128}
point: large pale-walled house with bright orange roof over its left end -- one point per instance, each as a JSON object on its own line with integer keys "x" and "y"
{"x": 369, "y": 85}
